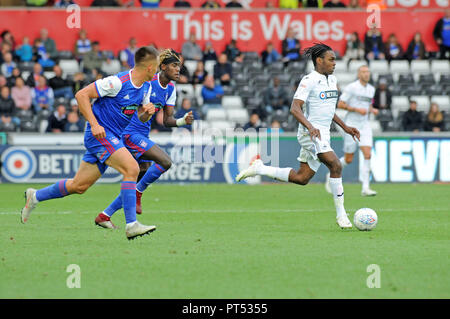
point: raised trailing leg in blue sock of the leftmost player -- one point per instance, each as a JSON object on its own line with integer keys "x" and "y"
{"x": 85, "y": 177}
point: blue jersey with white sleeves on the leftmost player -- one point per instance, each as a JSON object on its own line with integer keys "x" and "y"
{"x": 118, "y": 101}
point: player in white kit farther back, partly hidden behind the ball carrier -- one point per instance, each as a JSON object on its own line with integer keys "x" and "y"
{"x": 357, "y": 99}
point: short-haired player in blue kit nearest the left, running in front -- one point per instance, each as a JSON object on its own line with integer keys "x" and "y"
{"x": 118, "y": 99}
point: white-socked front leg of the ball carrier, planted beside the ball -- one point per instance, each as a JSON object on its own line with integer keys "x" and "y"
{"x": 337, "y": 189}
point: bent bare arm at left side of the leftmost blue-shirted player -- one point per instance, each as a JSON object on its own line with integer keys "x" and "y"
{"x": 83, "y": 98}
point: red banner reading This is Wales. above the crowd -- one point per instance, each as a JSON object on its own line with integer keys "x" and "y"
{"x": 252, "y": 29}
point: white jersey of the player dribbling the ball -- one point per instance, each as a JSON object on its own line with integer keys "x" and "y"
{"x": 320, "y": 95}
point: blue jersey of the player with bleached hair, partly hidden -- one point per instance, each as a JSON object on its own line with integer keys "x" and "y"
{"x": 161, "y": 97}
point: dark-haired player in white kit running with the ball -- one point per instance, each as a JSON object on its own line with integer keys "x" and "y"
{"x": 314, "y": 107}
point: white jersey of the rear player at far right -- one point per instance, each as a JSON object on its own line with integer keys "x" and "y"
{"x": 357, "y": 95}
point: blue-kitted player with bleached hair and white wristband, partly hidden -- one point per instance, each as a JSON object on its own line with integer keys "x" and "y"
{"x": 135, "y": 136}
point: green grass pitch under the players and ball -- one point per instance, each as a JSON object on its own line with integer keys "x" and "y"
{"x": 229, "y": 241}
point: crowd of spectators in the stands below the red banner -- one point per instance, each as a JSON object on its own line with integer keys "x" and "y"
{"x": 36, "y": 94}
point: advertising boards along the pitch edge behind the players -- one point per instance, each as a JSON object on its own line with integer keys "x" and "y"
{"x": 423, "y": 158}
